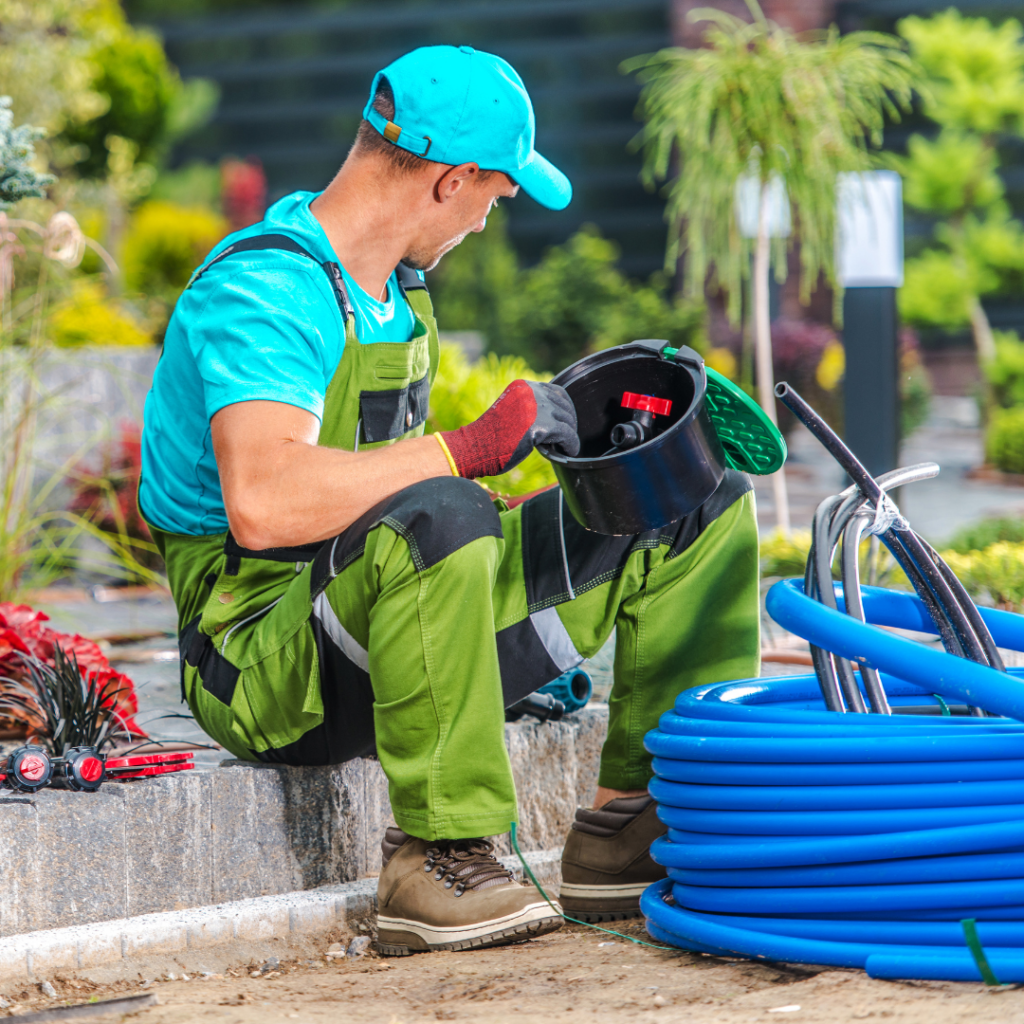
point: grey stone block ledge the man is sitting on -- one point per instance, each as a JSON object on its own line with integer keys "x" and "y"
{"x": 246, "y": 830}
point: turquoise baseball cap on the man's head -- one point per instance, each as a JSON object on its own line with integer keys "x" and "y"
{"x": 458, "y": 106}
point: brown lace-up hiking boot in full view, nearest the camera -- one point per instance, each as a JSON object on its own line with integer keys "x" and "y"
{"x": 453, "y": 894}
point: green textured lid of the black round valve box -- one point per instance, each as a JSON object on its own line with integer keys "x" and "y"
{"x": 751, "y": 442}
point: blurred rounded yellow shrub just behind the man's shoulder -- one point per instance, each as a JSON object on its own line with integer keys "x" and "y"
{"x": 164, "y": 244}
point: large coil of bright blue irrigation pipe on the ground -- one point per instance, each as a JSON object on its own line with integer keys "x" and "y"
{"x": 801, "y": 835}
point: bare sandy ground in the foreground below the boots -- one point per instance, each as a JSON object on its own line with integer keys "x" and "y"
{"x": 573, "y": 975}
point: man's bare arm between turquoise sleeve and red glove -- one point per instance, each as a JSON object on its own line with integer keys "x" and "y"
{"x": 281, "y": 489}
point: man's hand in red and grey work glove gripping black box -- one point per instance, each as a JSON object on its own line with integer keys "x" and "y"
{"x": 527, "y": 415}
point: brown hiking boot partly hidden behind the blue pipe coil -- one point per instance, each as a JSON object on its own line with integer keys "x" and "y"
{"x": 607, "y": 863}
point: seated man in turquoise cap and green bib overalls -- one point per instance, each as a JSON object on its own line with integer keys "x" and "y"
{"x": 343, "y": 585}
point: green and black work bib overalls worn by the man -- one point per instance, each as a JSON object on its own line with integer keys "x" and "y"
{"x": 409, "y": 633}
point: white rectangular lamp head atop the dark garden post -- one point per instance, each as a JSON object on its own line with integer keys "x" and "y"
{"x": 870, "y": 230}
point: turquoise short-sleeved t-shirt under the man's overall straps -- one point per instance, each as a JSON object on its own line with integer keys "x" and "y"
{"x": 257, "y": 326}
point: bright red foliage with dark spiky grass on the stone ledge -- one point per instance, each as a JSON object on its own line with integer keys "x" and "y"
{"x": 38, "y": 664}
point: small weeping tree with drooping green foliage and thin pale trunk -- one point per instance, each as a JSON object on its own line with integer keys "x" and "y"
{"x": 761, "y": 102}
